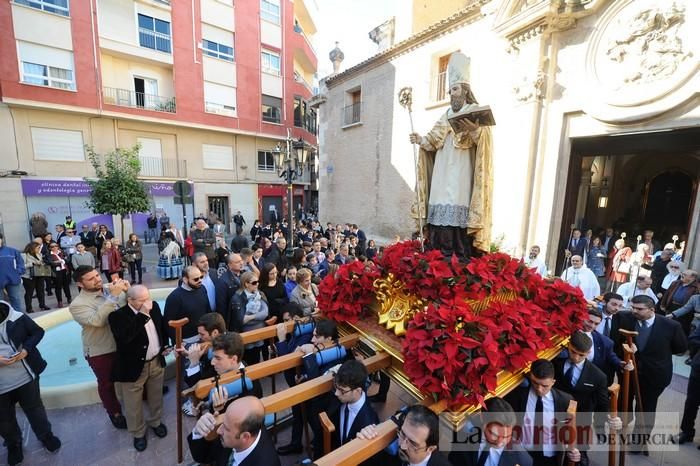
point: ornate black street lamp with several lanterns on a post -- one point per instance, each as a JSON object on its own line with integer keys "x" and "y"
{"x": 291, "y": 160}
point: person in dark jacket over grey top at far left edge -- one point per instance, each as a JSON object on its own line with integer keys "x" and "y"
{"x": 20, "y": 366}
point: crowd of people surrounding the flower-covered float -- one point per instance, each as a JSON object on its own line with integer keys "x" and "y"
{"x": 125, "y": 339}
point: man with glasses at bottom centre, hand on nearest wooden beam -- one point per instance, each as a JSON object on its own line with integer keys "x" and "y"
{"x": 417, "y": 437}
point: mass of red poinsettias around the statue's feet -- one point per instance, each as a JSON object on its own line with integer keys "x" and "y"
{"x": 491, "y": 315}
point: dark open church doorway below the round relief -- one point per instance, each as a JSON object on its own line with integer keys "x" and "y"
{"x": 636, "y": 182}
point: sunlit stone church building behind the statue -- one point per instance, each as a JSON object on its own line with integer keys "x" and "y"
{"x": 596, "y": 107}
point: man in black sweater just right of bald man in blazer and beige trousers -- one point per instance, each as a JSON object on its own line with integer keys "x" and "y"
{"x": 187, "y": 300}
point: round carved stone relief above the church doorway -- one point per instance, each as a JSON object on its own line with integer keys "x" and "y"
{"x": 642, "y": 59}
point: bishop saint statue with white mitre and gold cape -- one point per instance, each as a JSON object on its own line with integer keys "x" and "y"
{"x": 455, "y": 173}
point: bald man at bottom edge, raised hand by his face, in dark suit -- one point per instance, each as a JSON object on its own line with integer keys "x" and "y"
{"x": 243, "y": 439}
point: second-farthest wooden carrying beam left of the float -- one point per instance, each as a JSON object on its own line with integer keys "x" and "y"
{"x": 262, "y": 369}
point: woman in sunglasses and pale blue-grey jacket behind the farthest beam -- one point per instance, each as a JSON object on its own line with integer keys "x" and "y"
{"x": 250, "y": 310}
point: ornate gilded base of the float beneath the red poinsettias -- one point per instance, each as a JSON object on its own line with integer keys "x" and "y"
{"x": 394, "y": 308}
